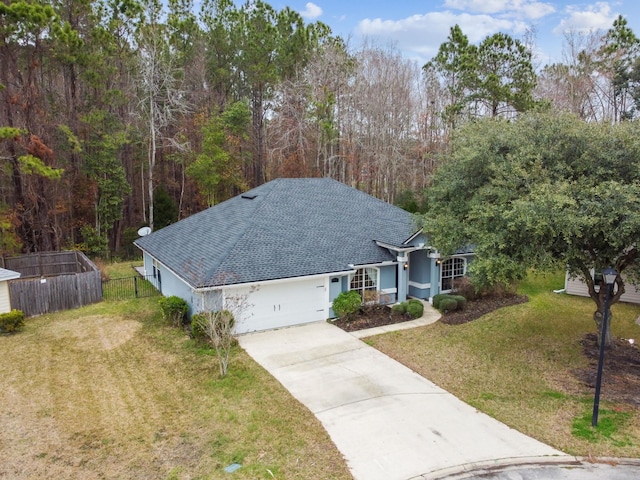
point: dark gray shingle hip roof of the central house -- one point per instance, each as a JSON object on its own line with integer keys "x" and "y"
{"x": 291, "y": 228}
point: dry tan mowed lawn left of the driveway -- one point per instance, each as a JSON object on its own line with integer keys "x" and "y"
{"x": 110, "y": 391}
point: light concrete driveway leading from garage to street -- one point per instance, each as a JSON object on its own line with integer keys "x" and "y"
{"x": 389, "y": 422}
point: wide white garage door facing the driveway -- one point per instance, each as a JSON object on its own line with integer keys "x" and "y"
{"x": 282, "y": 304}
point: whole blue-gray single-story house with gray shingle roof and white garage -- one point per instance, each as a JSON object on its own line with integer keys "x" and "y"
{"x": 292, "y": 246}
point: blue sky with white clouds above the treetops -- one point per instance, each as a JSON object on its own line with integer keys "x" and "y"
{"x": 418, "y": 27}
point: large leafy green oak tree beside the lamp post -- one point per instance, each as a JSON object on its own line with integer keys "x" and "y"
{"x": 542, "y": 192}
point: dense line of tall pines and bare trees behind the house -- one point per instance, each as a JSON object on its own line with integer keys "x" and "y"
{"x": 120, "y": 113}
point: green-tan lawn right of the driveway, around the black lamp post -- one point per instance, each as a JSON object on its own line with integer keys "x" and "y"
{"x": 522, "y": 365}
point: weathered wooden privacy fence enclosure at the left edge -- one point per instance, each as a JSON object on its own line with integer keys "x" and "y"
{"x": 53, "y": 281}
